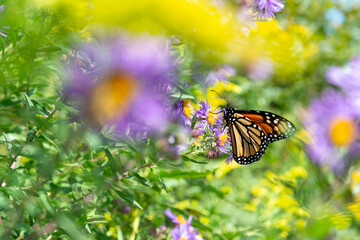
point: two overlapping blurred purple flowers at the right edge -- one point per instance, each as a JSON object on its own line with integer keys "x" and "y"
{"x": 333, "y": 120}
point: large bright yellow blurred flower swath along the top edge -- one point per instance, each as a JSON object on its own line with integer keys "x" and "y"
{"x": 166, "y": 17}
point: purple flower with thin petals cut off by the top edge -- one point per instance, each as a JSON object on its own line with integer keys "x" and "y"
{"x": 267, "y": 8}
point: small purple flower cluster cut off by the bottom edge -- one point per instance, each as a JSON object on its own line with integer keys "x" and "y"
{"x": 183, "y": 228}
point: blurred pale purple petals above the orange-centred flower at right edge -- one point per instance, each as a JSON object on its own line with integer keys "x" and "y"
{"x": 348, "y": 79}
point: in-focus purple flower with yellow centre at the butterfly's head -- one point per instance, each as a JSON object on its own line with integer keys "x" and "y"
{"x": 206, "y": 118}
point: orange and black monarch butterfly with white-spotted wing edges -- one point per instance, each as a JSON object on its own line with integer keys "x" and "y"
{"x": 252, "y": 131}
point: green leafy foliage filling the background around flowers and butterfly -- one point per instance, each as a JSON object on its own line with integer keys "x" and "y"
{"x": 61, "y": 180}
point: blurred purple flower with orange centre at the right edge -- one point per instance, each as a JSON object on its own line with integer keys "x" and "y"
{"x": 332, "y": 125}
